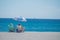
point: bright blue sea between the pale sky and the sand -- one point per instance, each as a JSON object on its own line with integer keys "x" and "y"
{"x": 35, "y": 25}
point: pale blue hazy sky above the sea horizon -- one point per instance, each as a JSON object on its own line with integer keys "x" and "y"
{"x": 45, "y": 9}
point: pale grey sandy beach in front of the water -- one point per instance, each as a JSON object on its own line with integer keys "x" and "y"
{"x": 30, "y": 36}
